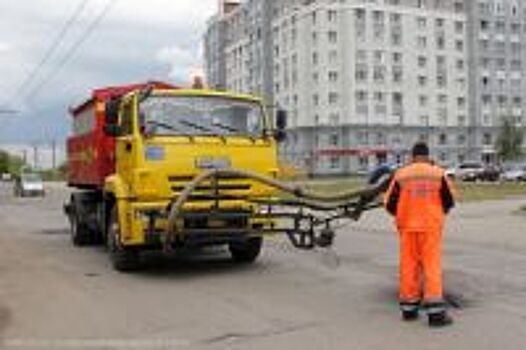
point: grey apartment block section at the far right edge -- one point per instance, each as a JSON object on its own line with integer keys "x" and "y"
{"x": 497, "y": 48}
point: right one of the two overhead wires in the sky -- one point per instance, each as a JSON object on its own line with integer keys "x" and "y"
{"x": 72, "y": 50}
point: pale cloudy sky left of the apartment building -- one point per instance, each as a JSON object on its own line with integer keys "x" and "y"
{"x": 135, "y": 41}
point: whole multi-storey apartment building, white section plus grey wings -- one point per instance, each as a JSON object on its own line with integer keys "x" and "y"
{"x": 363, "y": 79}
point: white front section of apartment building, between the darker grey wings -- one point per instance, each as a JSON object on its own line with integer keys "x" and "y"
{"x": 363, "y": 80}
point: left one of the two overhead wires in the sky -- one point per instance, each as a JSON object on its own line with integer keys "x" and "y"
{"x": 52, "y": 48}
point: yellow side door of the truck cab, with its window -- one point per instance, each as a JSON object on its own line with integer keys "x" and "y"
{"x": 125, "y": 147}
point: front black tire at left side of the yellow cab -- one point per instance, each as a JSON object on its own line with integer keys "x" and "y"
{"x": 122, "y": 259}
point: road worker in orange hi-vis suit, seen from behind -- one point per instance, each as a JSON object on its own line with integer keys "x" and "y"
{"x": 419, "y": 196}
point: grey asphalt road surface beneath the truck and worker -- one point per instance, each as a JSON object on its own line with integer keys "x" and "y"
{"x": 55, "y": 296}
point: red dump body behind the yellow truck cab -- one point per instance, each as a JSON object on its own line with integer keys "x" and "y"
{"x": 90, "y": 152}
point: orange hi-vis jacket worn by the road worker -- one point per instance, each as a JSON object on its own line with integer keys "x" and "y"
{"x": 419, "y": 195}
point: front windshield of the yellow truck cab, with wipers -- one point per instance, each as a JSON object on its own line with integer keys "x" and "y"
{"x": 200, "y": 115}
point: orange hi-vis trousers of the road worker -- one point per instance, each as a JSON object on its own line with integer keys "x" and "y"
{"x": 421, "y": 266}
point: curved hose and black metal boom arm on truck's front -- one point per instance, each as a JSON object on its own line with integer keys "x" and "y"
{"x": 310, "y": 222}
